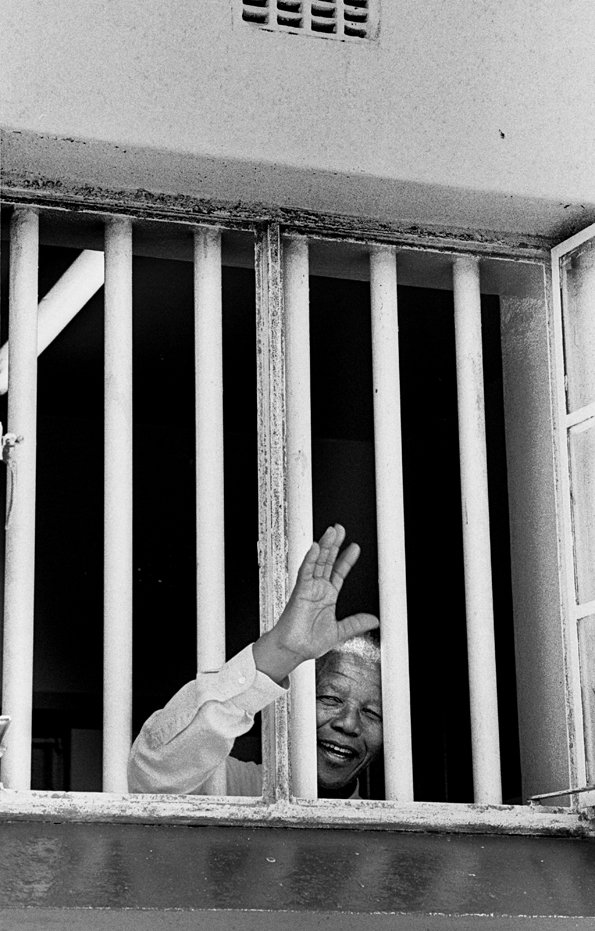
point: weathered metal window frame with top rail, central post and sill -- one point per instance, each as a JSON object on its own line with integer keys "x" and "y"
{"x": 276, "y": 805}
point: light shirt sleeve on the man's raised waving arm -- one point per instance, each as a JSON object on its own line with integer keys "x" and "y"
{"x": 181, "y": 745}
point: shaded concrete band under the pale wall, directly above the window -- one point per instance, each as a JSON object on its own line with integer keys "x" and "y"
{"x": 35, "y": 161}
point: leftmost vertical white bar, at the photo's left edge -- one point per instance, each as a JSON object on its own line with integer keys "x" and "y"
{"x": 17, "y": 672}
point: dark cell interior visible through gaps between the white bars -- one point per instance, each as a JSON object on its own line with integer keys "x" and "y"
{"x": 68, "y": 639}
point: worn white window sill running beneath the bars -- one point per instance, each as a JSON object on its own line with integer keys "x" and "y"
{"x": 373, "y": 815}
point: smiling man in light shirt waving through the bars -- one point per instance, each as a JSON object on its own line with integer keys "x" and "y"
{"x": 180, "y": 747}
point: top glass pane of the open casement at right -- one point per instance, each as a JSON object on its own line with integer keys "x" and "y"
{"x": 577, "y": 276}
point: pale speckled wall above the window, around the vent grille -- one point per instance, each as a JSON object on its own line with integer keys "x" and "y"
{"x": 493, "y": 95}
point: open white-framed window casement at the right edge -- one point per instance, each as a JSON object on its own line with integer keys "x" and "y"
{"x": 573, "y": 287}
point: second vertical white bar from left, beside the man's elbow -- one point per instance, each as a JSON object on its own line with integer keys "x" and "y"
{"x": 117, "y": 649}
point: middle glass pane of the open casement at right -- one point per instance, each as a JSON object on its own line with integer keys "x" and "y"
{"x": 582, "y": 465}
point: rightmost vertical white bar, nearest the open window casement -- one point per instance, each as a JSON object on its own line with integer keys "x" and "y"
{"x": 476, "y": 533}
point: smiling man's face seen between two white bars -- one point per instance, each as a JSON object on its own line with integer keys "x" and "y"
{"x": 348, "y": 717}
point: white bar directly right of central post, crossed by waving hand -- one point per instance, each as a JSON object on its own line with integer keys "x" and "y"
{"x": 299, "y": 497}
